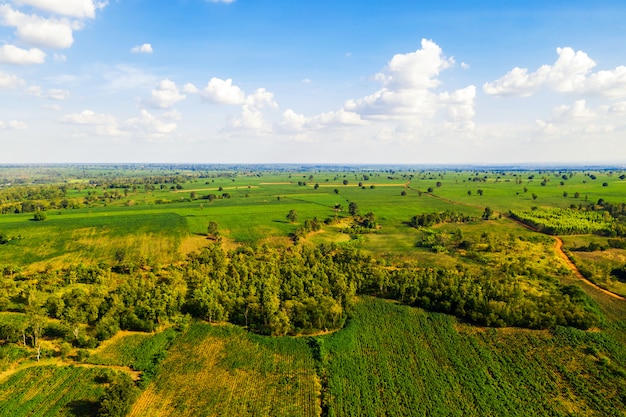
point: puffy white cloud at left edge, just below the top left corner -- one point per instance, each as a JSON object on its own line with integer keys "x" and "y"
{"x": 38, "y": 31}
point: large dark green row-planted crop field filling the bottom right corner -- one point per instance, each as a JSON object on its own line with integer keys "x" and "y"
{"x": 396, "y": 361}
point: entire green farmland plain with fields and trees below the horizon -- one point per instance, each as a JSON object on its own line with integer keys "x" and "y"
{"x": 165, "y": 273}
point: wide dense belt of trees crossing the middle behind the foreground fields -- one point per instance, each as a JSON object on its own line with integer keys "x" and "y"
{"x": 300, "y": 289}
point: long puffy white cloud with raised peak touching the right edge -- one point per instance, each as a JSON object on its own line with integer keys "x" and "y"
{"x": 571, "y": 73}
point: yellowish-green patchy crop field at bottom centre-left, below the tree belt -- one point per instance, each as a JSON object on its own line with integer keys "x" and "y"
{"x": 224, "y": 371}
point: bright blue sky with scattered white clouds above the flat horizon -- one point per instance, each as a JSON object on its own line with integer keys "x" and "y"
{"x": 313, "y": 81}
